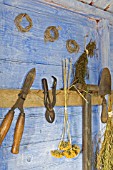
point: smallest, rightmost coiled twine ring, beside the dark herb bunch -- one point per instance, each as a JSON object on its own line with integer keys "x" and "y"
{"x": 72, "y": 46}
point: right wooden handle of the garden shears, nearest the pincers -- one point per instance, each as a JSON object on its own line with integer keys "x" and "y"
{"x": 18, "y": 133}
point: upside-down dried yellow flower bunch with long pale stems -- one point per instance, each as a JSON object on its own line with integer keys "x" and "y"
{"x": 65, "y": 148}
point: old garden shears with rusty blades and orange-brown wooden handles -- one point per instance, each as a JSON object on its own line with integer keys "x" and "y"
{"x": 21, "y": 119}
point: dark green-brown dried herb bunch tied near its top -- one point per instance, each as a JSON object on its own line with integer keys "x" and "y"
{"x": 81, "y": 64}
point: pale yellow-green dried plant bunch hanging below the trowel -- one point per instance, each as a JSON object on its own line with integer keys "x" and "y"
{"x": 105, "y": 156}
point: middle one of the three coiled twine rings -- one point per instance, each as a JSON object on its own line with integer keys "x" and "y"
{"x": 48, "y": 34}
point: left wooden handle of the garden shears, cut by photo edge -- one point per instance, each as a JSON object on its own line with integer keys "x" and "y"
{"x": 6, "y": 125}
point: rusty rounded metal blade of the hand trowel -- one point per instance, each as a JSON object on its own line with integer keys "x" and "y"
{"x": 105, "y": 82}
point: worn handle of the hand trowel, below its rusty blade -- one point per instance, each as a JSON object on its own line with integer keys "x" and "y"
{"x": 104, "y": 113}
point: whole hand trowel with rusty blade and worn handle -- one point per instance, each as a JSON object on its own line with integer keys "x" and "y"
{"x": 104, "y": 89}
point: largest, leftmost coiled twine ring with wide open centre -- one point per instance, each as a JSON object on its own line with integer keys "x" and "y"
{"x": 18, "y": 20}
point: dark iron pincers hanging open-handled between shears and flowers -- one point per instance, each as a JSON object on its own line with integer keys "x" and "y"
{"x": 50, "y": 114}
